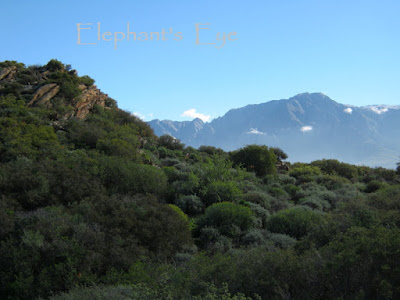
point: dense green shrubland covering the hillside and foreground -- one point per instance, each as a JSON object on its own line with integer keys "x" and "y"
{"x": 101, "y": 208}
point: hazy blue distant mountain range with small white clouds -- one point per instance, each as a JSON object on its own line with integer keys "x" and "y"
{"x": 307, "y": 127}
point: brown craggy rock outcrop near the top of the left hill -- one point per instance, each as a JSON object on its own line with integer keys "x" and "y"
{"x": 42, "y": 94}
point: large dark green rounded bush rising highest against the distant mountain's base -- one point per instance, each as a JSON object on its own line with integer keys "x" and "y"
{"x": 256, "y": 158}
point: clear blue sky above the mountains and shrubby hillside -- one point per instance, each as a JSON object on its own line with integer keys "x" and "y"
{"x": 349, "y": 50}
